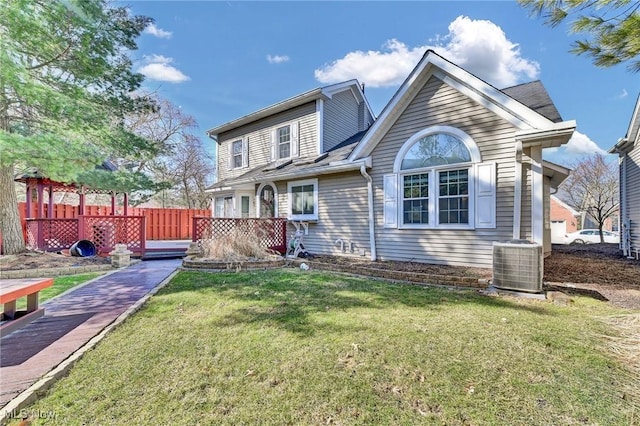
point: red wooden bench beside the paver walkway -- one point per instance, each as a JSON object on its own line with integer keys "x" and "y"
{"x": 10, "y": 292}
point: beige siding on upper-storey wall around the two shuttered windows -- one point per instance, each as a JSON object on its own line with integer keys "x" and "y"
{"x": 259, "y": 138}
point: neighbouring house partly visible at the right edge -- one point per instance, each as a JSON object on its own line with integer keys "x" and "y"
{"x": 628, "y": 150}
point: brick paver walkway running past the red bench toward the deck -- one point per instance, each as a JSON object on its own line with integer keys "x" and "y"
{"x": 72, "y": 320}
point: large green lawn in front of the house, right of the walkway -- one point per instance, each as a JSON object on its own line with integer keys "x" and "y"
{"x": 312, "y": 348}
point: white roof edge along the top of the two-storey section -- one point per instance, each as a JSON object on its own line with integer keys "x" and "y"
{"x": 325, "y": 93}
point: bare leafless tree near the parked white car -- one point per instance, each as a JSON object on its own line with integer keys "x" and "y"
{"x": 592, "y": 187}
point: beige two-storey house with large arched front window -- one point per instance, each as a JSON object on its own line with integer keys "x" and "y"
{"x": 451, "y": 165}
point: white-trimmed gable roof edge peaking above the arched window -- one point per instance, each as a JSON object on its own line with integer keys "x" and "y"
{"x": 535, "y": 128}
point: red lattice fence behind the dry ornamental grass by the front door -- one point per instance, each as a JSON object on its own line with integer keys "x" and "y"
{"x": 272, "y": 232}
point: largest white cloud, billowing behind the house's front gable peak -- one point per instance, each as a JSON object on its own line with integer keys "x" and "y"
{"x": 478, "y": 46}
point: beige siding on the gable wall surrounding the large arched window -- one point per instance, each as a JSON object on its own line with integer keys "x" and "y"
{"x": 439, "y": 104}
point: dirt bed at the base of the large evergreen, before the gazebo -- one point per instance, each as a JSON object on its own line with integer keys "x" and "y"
{"x": 40, "y": 260}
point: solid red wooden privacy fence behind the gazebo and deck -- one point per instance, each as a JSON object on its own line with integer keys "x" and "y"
{"x": 161, "y": 224}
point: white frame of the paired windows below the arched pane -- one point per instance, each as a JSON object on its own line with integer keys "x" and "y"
{"x": 434, "y": 197}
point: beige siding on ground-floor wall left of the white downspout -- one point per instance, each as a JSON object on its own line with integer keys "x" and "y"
{"x": 342, "y": 213}
